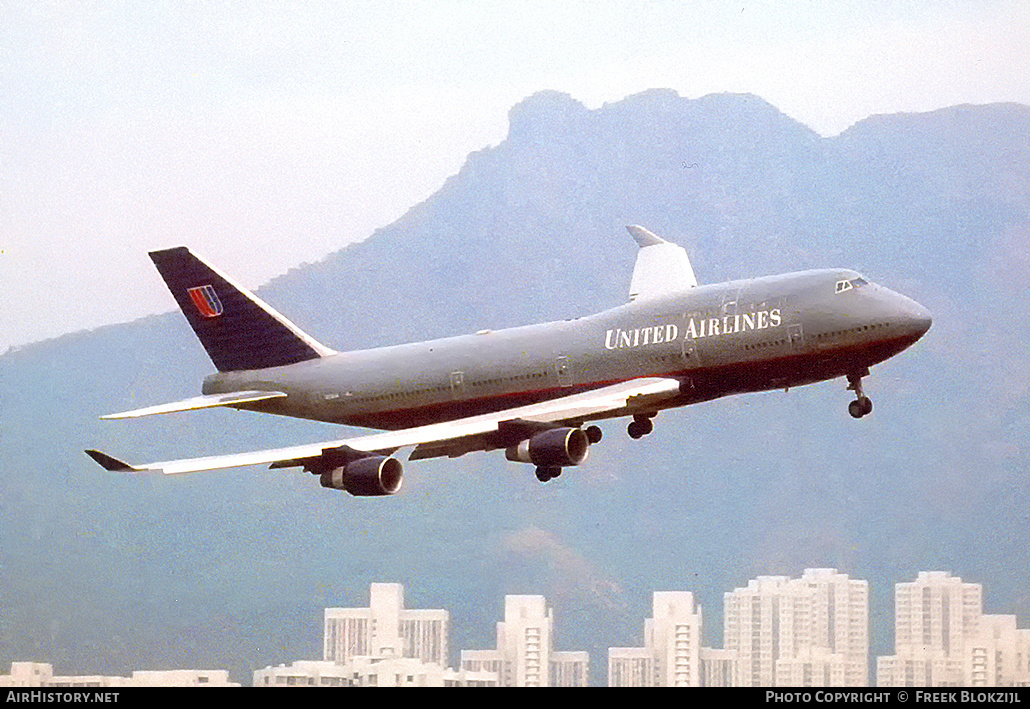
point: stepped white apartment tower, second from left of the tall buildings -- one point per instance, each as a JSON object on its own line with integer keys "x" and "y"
{"x": 526, "y": 656}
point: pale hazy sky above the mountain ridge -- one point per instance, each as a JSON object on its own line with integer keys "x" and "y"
{"x": 264, "y": 136}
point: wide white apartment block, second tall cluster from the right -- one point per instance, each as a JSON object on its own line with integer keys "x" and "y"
{"x": 808, "y": 632}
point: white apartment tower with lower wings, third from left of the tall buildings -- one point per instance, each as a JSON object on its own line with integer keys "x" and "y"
{"x": 671, "y": 656}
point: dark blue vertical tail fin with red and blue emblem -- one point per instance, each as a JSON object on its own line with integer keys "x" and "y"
{"x": 237, "y": 329}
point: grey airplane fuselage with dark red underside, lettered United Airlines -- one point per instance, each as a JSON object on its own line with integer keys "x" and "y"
{"x": 752, "y": 335}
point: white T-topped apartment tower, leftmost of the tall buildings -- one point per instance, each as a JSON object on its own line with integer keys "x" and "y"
{"x": 387, "y": 628}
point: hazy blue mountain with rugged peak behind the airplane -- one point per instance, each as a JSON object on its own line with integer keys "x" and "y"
{"x": 106, "y": 573}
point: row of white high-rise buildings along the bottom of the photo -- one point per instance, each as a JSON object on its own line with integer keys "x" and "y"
{"x": 811, "y": 631}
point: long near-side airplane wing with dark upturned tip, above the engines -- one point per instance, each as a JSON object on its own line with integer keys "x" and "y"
{"x": 451, "y": 438}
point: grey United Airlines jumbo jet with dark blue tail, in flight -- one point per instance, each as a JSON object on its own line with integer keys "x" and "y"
{"x": 536, "y": 391}
